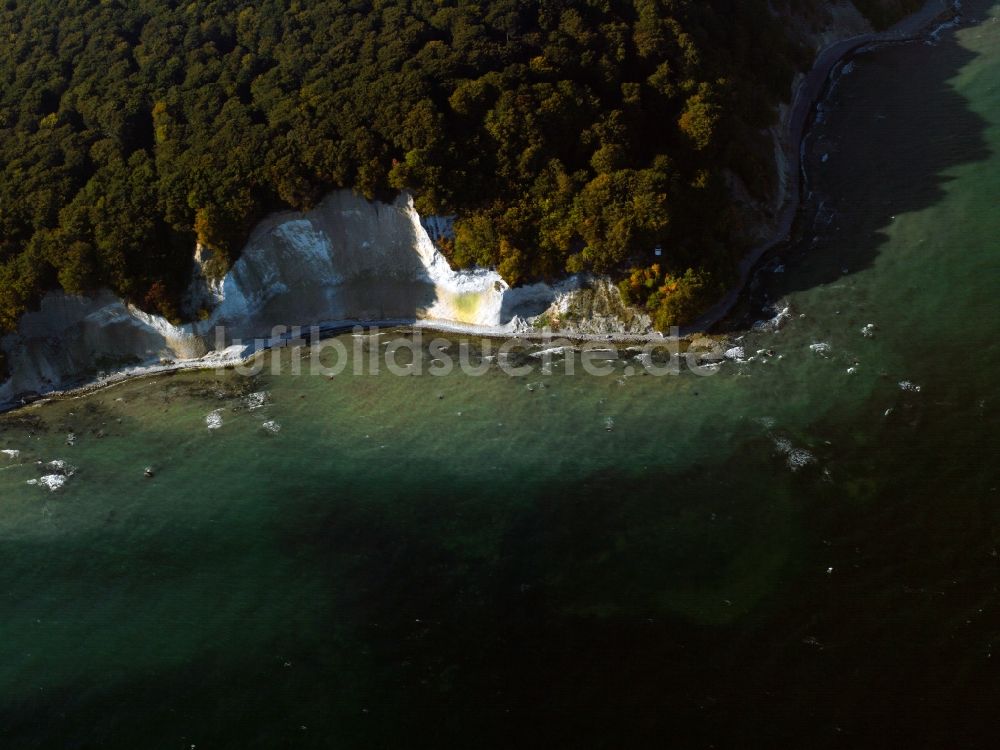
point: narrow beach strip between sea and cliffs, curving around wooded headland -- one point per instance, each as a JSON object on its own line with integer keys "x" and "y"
{"x": 811, "y": 91}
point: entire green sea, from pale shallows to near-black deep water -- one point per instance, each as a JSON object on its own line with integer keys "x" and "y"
{"x": 469, "y": 562}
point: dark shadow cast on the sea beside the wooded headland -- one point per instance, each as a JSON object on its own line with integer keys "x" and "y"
{"x": 893, "y": 130}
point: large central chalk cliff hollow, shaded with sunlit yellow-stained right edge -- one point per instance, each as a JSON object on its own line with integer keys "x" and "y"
{"x": 351, "y": 259}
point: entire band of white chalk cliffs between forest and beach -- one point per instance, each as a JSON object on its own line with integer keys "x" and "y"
{"x": 347, "y": 260}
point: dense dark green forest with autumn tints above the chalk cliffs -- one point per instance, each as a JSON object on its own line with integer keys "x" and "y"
{"x": 567, "y": 136}
